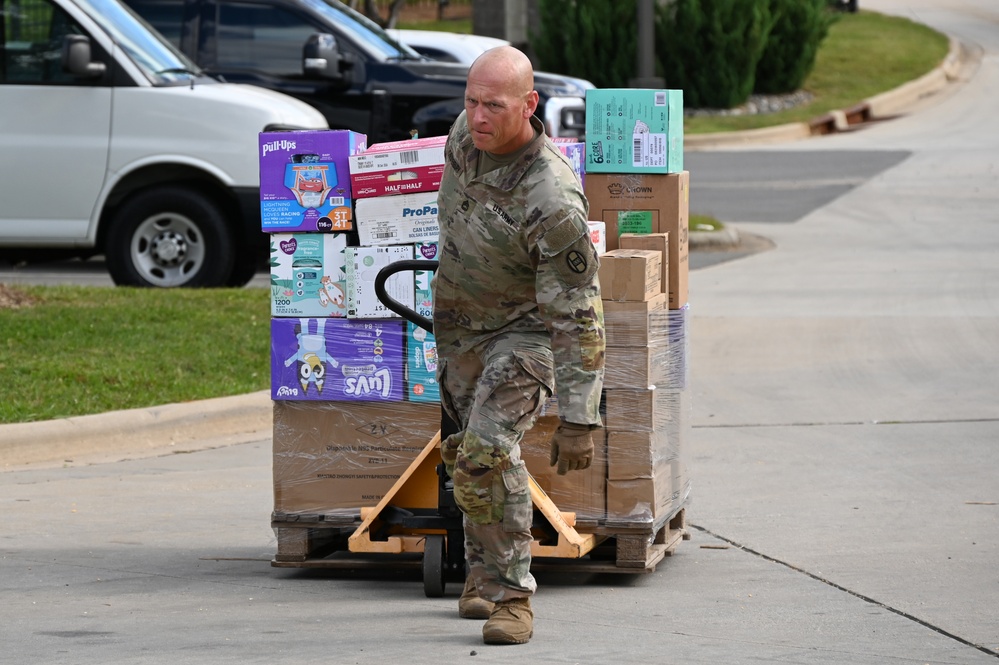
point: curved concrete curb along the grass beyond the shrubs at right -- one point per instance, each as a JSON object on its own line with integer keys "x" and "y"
{"x": 881, "y": 106}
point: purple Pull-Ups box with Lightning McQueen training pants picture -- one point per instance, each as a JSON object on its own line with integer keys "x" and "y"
{"x": 305, "y": 179}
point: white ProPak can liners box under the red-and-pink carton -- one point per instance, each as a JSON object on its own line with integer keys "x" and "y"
{"x": 394, "y": 220}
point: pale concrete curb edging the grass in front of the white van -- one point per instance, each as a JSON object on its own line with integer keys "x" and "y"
{"x": 137, "y": 432}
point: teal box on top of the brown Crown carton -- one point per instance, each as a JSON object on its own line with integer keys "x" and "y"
{"x": 634, "y": 130}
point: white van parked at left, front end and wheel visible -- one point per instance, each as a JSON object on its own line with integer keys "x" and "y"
{"x": 112, "y": 142}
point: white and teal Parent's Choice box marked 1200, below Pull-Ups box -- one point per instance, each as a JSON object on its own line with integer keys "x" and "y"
{"x": 308, "y": 275}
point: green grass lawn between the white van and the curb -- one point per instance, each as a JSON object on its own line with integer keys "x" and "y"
{"x": 76, "y": 350}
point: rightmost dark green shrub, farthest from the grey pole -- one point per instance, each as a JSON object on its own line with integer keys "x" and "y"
{"x": 799, "y": 28}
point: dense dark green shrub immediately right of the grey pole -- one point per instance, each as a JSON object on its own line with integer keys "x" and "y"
{"x": 710, "y": 48}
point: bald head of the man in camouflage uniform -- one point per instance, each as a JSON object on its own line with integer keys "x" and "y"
{"x": 500, "y": 100}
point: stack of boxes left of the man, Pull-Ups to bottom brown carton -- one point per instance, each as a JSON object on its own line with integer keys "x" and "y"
{"x": 354, "y": 386}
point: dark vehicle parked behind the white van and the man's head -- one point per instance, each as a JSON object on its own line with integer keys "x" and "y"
{"x": 339, "y": 61}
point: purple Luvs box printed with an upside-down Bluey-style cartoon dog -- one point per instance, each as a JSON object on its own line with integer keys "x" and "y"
{"x": 337, "y": 359}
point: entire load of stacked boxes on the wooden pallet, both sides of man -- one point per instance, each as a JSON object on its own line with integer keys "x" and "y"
{"x": 353, "y": 384}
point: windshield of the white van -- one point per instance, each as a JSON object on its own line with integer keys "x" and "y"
{"x": 158, "y": 59}
